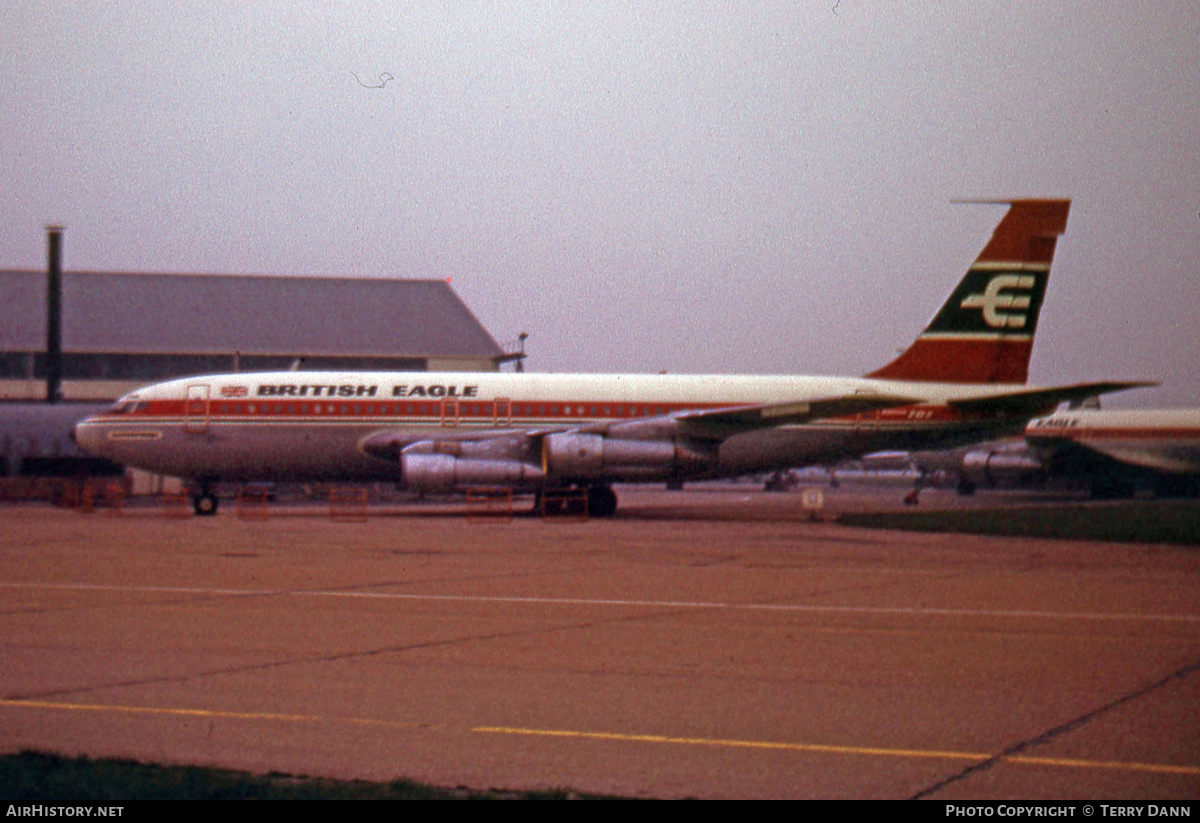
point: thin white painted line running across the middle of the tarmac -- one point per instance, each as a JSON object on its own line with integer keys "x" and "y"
{"x": 603, "y": 602}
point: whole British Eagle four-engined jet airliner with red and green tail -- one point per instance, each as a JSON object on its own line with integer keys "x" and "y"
{"x": 962, "y": 381}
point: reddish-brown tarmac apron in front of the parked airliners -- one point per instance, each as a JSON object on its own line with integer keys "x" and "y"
{"x": 711, "y": 644}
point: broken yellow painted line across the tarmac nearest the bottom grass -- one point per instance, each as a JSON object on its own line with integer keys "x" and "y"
{"x": 772, "y": 746}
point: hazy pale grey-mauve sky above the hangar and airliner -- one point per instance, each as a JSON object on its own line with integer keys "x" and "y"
{"x": 694, "y": 188}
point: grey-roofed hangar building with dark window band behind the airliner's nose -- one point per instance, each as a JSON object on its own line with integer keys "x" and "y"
{"x": 125, "y": 331}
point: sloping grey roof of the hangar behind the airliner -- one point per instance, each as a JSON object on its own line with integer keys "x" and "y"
{"x": 254, "y": 315}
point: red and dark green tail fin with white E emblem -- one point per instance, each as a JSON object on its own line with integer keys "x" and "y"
{"x": 985, "y": 333}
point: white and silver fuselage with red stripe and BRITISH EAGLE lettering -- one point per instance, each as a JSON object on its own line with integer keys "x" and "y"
{"x": 313, "y": 425}
